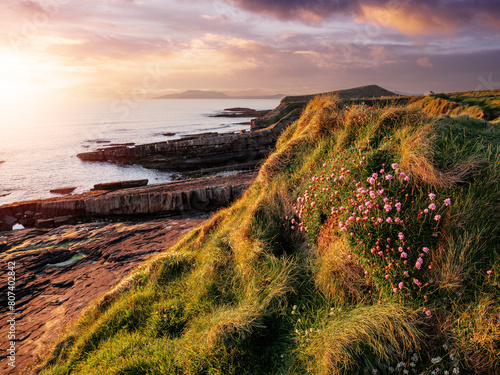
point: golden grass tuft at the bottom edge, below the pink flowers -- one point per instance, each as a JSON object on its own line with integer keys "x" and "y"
{"x": 346, "y": 343}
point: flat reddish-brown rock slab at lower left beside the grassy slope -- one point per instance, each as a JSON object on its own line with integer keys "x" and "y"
{"x": 59, "y": 271}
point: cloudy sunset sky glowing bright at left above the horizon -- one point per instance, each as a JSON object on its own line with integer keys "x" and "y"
{"x": 145, "y": 48}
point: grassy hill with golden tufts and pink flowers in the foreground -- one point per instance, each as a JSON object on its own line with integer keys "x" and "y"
{"x": 368, "y": 244}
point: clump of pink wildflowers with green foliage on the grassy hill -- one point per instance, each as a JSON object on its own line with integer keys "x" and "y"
{"x": 391, "y": 222}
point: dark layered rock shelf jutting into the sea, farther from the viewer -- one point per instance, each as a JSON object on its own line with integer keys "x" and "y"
{"x": 211, "y": 152}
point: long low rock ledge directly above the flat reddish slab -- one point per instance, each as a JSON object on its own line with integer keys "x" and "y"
{"x": 201, "y": 194}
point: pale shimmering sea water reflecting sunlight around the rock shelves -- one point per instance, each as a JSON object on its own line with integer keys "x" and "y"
{"x": 39, "y": 142}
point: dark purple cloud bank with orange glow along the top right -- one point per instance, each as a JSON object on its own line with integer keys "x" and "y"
{"x": 412, "y": 18}
